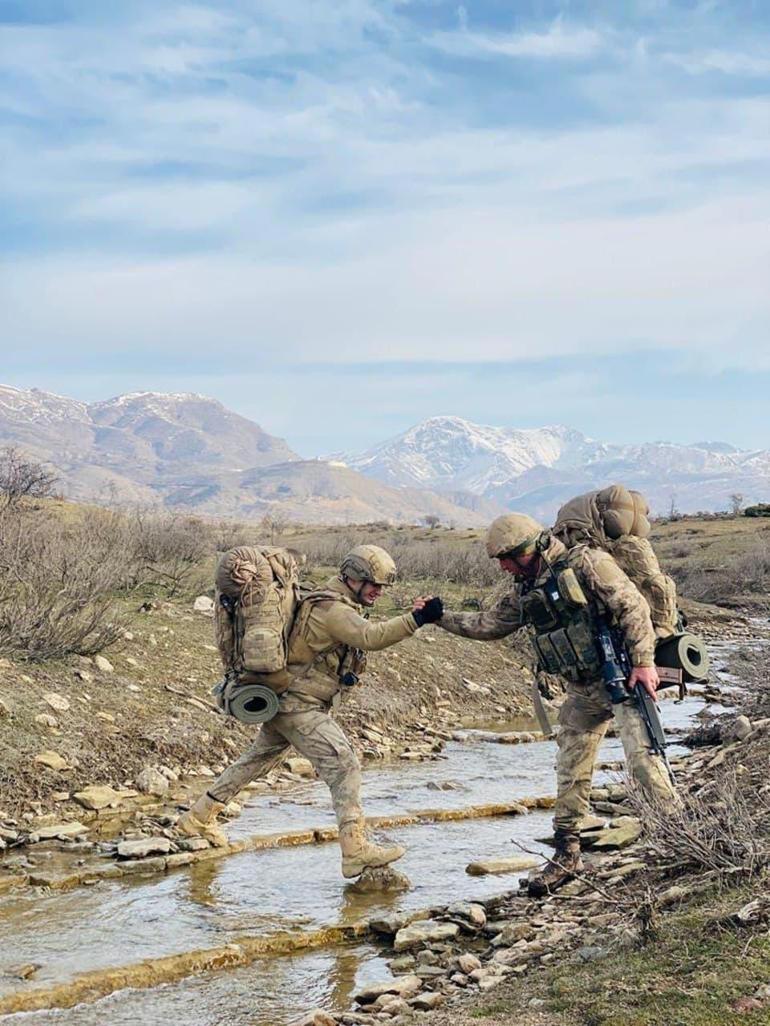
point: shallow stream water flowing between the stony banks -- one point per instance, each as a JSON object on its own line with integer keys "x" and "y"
{"x": 259, "y": 893}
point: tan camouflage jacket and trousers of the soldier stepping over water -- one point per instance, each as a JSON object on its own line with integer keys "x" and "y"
{"x": 327, "y": 634}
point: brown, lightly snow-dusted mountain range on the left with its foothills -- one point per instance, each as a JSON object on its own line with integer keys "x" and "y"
{"x": 188, "y": 452}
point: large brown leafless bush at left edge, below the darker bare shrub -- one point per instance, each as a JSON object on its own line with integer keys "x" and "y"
{"x": 57, "y": 588}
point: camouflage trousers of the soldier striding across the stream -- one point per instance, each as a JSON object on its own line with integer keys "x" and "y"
{"x": 314, "y": 734}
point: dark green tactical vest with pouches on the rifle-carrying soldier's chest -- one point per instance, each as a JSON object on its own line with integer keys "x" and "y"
{"x": 562, "y": 622}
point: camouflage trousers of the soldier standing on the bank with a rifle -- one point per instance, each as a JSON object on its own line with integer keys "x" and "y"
{"x": 584, "y": 720}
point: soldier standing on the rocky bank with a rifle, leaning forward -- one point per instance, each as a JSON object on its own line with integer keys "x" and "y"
{"x": 530, "y": 554}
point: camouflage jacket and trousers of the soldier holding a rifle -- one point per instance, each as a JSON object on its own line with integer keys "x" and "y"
{"x": 588, "y": 711}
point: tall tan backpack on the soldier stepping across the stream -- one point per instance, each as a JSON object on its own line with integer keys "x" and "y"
{"x": 256, "y": 601}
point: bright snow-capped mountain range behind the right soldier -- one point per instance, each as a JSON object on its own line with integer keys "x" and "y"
{"x": 536, "y": 469}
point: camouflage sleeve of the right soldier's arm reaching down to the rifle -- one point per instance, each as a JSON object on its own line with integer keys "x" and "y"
{"x": 626, "y": 603}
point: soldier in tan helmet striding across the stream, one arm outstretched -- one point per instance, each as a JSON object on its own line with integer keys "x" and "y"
{"x": 327, "y": 652}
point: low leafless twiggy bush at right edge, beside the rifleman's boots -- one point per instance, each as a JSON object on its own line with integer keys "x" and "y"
{"x": 723, "y": 830}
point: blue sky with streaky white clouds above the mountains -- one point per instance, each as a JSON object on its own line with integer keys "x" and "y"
{"x": 340, "y": 218}
